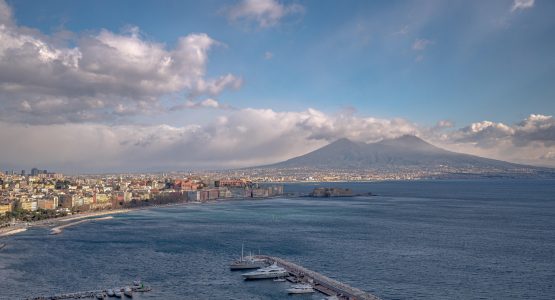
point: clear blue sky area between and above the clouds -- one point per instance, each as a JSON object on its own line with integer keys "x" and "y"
{"x": 483, "y": 61}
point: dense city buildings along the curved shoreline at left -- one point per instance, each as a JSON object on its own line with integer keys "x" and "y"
{"x": 56, "y": 195}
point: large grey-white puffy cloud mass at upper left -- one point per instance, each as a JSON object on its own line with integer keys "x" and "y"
{"x": 100, "y": 76}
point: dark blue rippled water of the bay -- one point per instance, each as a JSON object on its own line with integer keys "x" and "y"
{"x": 416, "y": 240}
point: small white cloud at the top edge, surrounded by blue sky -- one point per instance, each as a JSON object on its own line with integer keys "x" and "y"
{"x": 265, "y": 13}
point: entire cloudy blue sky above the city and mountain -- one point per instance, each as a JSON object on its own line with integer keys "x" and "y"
{"x": 102, "y": 86}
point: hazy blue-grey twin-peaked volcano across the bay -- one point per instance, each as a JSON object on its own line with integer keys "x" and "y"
{"x": 404, "y": 153}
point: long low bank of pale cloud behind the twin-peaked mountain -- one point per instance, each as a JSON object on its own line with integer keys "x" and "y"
{"x": 249, "y": 137}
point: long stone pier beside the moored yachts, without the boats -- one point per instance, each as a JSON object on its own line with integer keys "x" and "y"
{"x": 321, "y": 283}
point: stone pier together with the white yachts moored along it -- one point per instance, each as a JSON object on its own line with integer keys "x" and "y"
{"x": 307, "y": 278}
